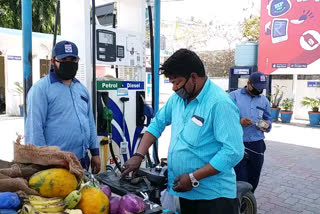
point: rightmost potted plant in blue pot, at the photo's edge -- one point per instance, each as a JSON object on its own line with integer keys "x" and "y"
{"x": 314, "y": 115}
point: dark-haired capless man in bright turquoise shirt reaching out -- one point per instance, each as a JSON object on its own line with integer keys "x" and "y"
{"x": 206, "y": 139}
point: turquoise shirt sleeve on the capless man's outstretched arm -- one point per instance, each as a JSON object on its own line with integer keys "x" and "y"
{"x": 161, "y": 119}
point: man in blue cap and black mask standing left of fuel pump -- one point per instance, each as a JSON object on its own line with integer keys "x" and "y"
{"x": 59, "y": 111}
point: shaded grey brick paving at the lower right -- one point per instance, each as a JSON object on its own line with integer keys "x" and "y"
{"x": 290, "y": 181}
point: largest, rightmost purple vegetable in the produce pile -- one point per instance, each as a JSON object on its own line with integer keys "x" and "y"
{"x": 131, "y": 204}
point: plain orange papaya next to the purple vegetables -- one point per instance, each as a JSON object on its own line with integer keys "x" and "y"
{"x": 93, "y": 201}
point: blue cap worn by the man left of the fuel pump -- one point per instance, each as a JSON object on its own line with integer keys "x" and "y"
{"x": 65, "y": 49}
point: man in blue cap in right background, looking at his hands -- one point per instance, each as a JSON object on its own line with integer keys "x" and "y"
{"x": 255, "y": 120}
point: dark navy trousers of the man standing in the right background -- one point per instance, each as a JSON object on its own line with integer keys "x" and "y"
{"x": 249, "y": 168}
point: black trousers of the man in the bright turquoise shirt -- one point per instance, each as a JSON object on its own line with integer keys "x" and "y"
{"x": 215, "y": 206}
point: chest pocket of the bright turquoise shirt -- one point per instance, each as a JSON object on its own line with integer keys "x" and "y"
{"x": 191, "y": 133}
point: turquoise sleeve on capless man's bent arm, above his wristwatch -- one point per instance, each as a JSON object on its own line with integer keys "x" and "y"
{"x": 228, "y": 132}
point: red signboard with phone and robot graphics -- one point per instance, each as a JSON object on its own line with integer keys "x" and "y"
{"x": 289, "y": 34}
